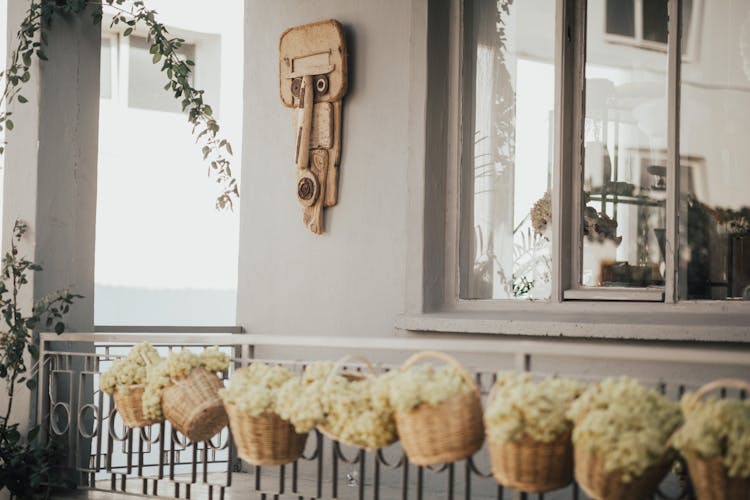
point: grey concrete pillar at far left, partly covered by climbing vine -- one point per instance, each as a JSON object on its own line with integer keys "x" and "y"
{"x": 50, "y": 167}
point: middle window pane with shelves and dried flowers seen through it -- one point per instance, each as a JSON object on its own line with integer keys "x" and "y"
{"x": 623, "y": 221}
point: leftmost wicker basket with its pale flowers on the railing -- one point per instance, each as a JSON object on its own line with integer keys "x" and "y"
{"x": 125, "y": 381}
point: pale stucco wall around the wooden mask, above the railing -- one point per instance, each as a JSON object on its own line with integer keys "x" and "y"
{"x": 350, "y": 280}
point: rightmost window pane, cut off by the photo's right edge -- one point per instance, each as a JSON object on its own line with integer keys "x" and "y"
{"x": 714, "y": 124}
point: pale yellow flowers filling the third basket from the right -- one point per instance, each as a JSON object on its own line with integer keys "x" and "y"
{"x": 520, "y": 407}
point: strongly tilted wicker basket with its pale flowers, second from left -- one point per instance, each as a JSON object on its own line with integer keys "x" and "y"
{"x": 184, "y": 389}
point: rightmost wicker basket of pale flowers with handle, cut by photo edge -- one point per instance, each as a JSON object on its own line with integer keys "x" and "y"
{"x": 715, "y": 440}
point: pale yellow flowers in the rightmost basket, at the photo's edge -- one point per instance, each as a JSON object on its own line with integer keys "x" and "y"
{"x": 717, "y": 428}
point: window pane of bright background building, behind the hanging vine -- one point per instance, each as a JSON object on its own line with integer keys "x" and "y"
{"x": 145, "y": 80}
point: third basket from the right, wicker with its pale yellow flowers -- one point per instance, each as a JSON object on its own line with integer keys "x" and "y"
{"x": 528, "y": 433}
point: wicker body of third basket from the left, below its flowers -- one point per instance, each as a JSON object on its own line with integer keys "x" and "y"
{"x": 265, "y": 439}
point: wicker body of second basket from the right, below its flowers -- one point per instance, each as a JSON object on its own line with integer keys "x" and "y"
{"x": 603, "y": 485}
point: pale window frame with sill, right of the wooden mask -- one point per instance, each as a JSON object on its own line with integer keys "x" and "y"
{"x": 432, "y": 300}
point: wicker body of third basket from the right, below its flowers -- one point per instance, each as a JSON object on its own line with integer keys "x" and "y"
{"x": 533, "y": 466}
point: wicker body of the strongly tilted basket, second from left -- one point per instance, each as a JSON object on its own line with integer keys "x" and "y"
{"x": 192, "y": 405}
